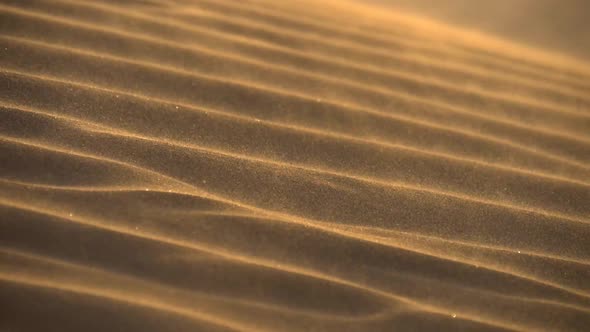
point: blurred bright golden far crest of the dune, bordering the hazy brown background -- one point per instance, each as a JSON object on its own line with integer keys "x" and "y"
{"x": 413, "y": 32}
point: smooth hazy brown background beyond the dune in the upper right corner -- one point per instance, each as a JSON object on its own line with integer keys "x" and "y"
{"x": 563, "y": 25}
